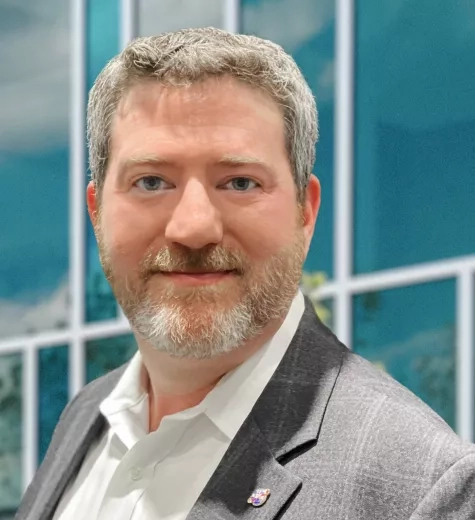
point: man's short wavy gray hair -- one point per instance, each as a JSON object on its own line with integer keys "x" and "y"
{"x": 188, "y": 56}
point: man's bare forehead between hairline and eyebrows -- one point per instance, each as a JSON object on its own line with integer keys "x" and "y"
{"x": 215, "y": 110}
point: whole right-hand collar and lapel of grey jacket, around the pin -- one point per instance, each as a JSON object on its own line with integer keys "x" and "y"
{"x": 285, "y": 420}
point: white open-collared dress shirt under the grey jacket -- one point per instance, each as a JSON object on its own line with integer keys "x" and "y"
{"x": 131, "y": 473}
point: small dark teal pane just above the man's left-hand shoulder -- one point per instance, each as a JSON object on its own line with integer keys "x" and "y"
{"x": 53, "y": 392}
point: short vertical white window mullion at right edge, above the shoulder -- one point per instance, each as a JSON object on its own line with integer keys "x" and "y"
{"x": 465, "y": 312}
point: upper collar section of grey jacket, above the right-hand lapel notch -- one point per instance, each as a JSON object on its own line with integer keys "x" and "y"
{"x": 291, "y": 408}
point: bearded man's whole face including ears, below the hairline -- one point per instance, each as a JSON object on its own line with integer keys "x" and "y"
{"x": 199, "y": 230}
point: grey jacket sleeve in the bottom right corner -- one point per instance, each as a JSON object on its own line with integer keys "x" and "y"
{"x": 452, "y": 497}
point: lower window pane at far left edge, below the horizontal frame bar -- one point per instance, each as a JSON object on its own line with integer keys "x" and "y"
{"x": 11, "y": 485}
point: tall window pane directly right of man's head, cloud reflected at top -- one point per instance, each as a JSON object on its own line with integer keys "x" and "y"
{"x": 307, "y": 31}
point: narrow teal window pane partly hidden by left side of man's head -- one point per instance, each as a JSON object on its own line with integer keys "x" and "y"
{"x": 102, "y": 45}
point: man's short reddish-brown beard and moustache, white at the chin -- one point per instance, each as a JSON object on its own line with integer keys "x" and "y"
{"x": 208, "y": 320}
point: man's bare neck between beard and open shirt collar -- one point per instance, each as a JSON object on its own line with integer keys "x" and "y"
{"x": 176, "y": 384}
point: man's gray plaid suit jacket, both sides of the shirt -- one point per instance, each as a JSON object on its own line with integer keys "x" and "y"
{"x": 331, "y": 437}
